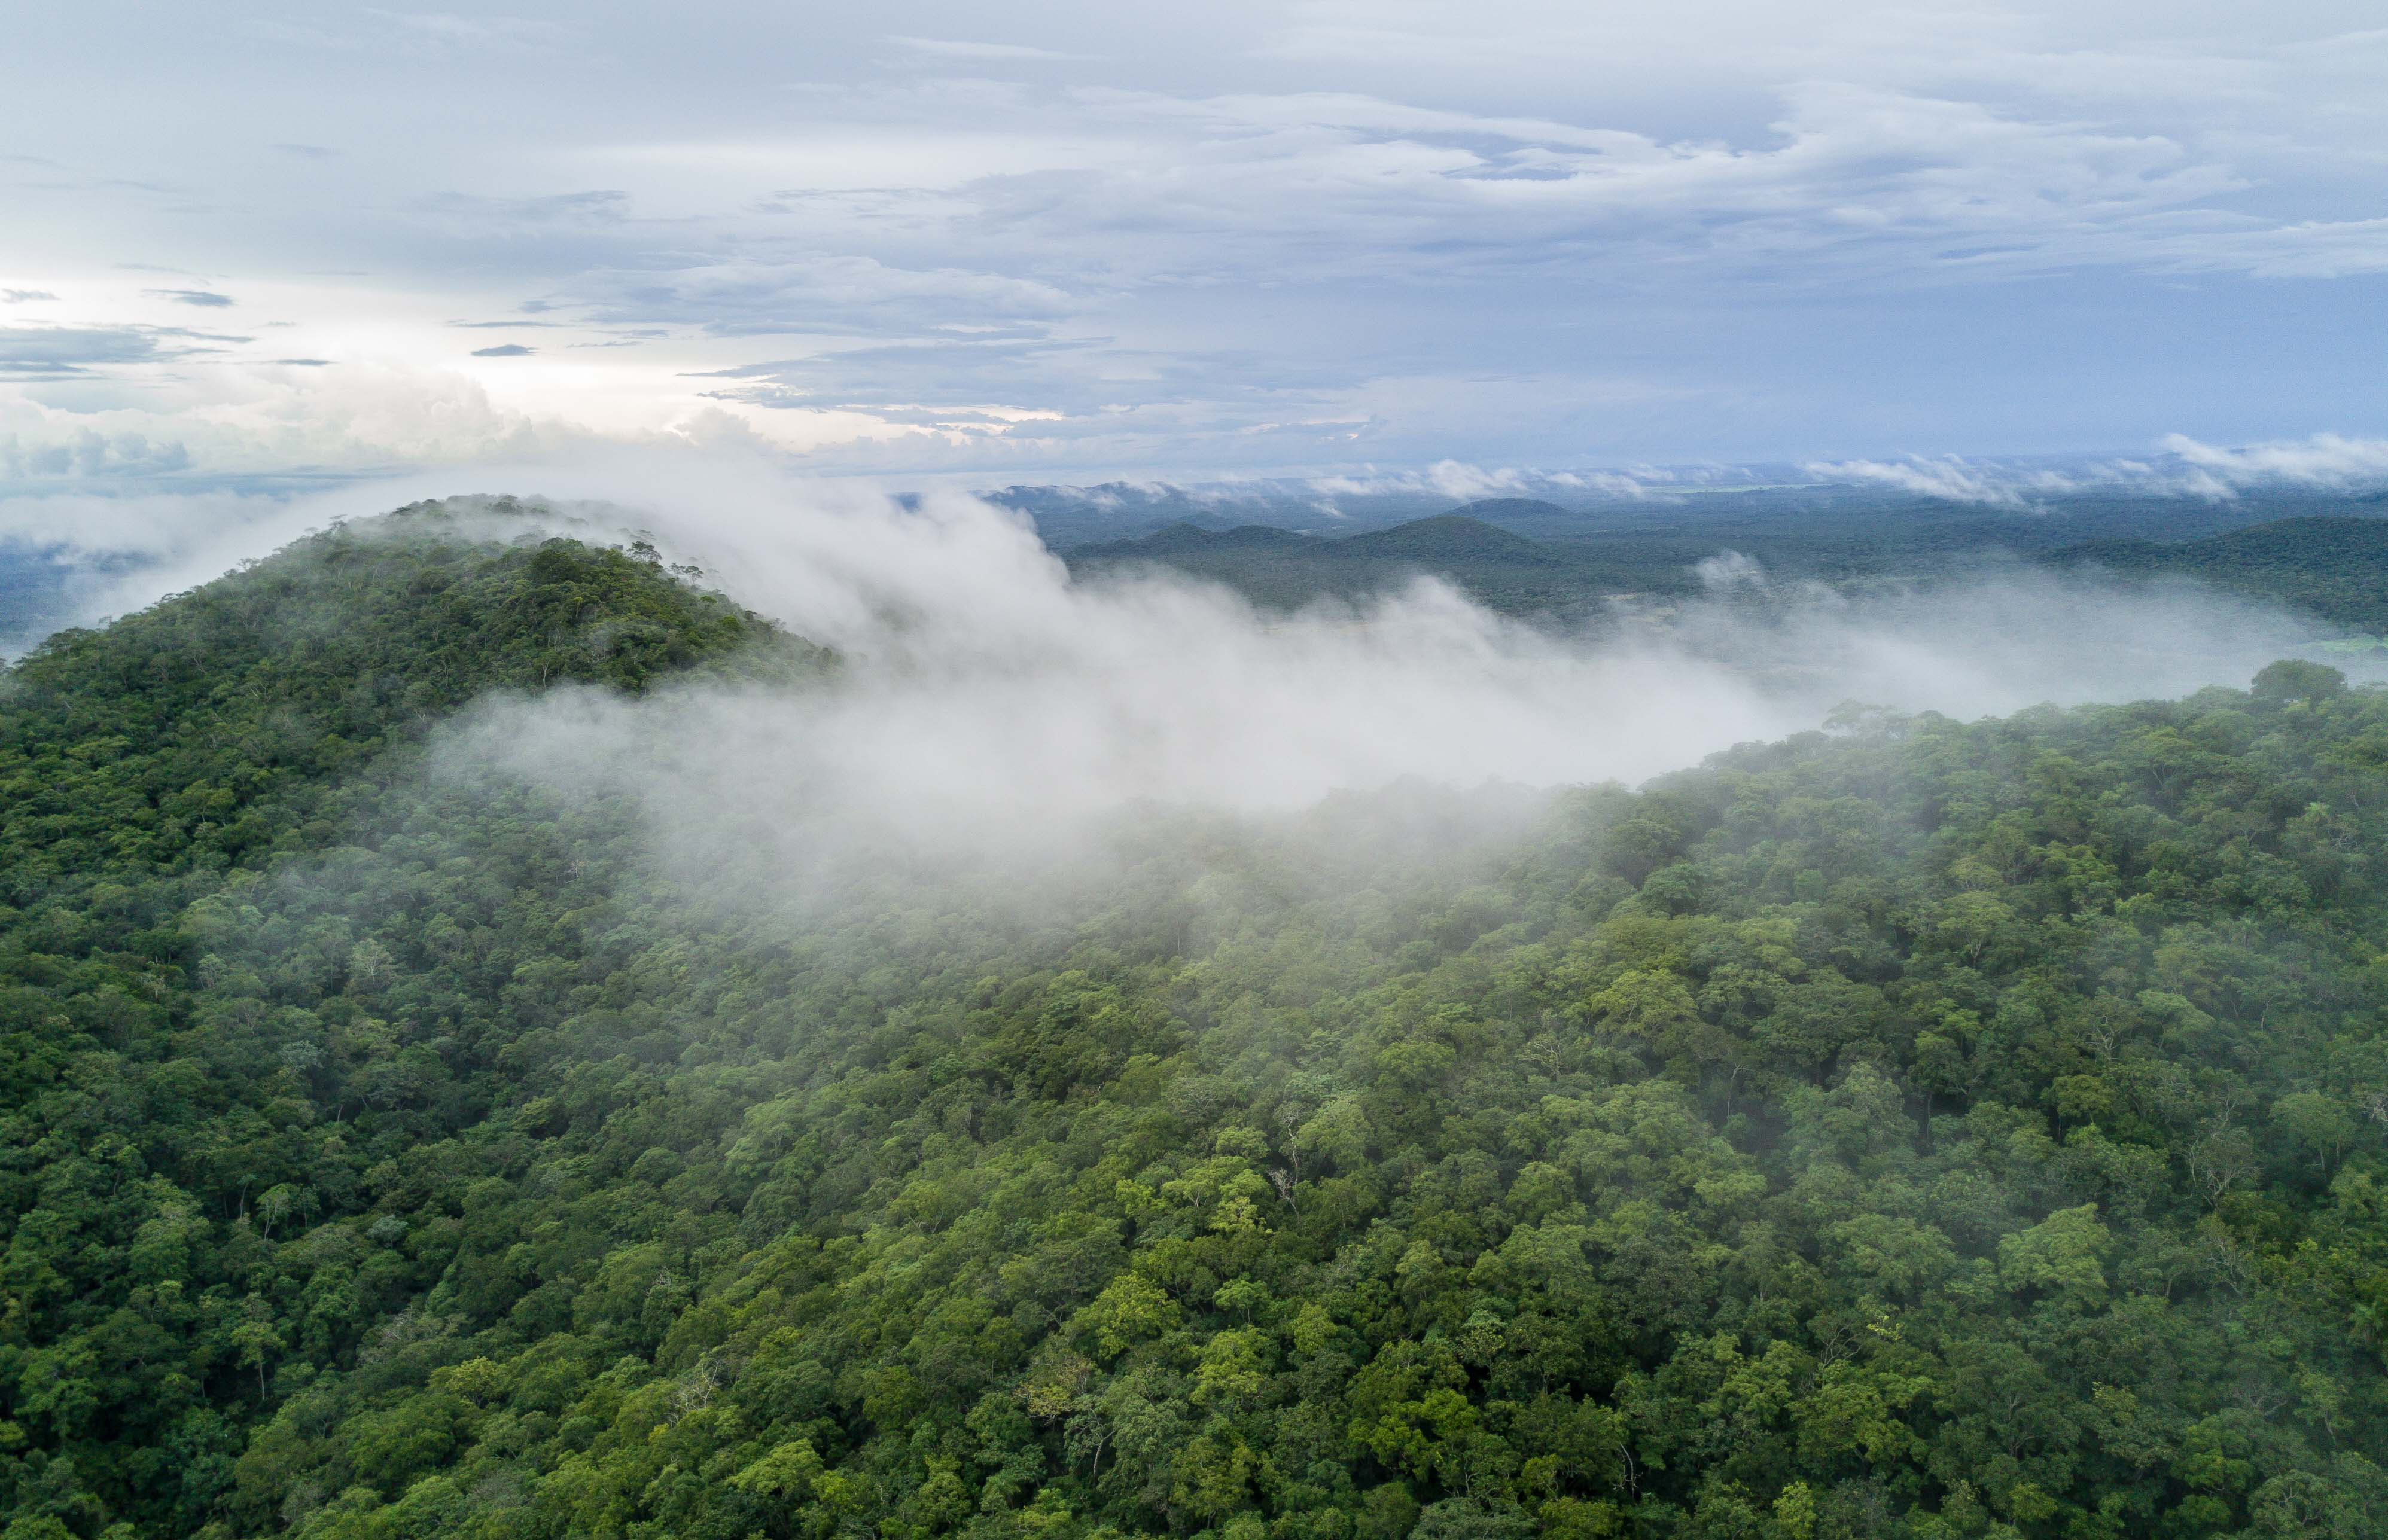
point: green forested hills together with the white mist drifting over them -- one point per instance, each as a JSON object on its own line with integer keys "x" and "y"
{"x": 739, "y": 1016}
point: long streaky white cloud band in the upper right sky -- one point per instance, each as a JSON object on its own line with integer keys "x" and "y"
{"x": 1842, "y": 183}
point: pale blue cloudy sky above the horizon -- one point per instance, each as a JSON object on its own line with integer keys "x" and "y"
{"x": 266, "y": 245}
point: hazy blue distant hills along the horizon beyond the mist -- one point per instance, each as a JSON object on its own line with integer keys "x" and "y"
{"x": 1286, "y": 543}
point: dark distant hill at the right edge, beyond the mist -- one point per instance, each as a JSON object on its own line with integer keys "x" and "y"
{"x": 2329, "y": 565}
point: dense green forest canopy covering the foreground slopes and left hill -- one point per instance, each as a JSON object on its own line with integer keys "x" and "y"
{"x": 1902, "y": 1131}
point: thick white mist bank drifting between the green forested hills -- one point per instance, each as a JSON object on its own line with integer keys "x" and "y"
{"x": 992, "y": 710}
